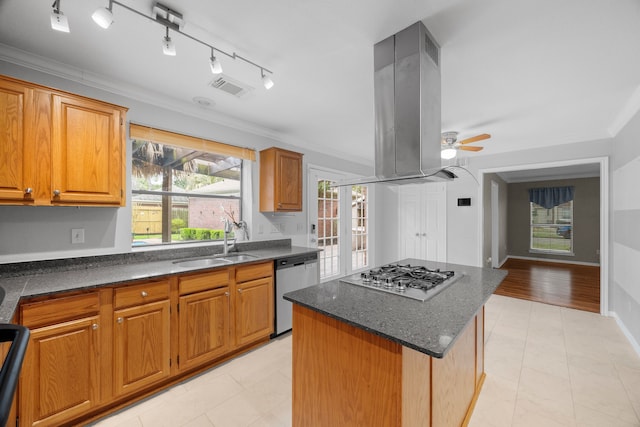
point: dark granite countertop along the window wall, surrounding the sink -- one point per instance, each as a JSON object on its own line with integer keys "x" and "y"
{"x": 24, "y": 280}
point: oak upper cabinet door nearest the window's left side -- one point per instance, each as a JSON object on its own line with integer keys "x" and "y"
{"x": 87, "y": 152}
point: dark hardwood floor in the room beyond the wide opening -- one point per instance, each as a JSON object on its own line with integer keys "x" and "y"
{"x": 567, "y": 285}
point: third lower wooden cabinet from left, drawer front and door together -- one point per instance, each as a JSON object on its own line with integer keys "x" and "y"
{"x": 204, "y": 322}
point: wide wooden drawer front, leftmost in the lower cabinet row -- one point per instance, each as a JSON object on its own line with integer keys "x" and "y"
{"x": 58, "y": 310}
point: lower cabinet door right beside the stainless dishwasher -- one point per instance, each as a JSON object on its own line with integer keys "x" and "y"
{"x": 253, "y": 310}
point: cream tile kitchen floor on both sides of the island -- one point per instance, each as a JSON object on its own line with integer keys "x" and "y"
{"x": 545, "y": 366}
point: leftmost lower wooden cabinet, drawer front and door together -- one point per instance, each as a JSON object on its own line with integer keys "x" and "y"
{"x": 61, "y": 372}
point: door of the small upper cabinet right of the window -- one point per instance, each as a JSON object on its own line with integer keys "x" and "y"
{"x": 288, "y": 181}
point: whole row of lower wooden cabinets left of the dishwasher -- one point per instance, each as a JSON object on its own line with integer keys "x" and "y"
{"x": 92, "y": 351}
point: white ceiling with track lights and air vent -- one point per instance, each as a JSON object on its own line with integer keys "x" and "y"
{"x": 530, "y": 73}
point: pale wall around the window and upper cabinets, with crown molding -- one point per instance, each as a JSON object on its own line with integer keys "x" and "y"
{"x": 34, "y": 233}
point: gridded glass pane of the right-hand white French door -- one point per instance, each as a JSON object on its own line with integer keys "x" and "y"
{"x": 359, "y": 227}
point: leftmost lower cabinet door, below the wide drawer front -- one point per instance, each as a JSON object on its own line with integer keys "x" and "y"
{"x": 60, "y": 375}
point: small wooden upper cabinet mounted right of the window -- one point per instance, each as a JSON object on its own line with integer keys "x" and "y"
{"x": 280, "y": 180}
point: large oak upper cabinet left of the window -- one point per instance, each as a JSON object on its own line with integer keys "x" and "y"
{"x": 59, "y": 149}
